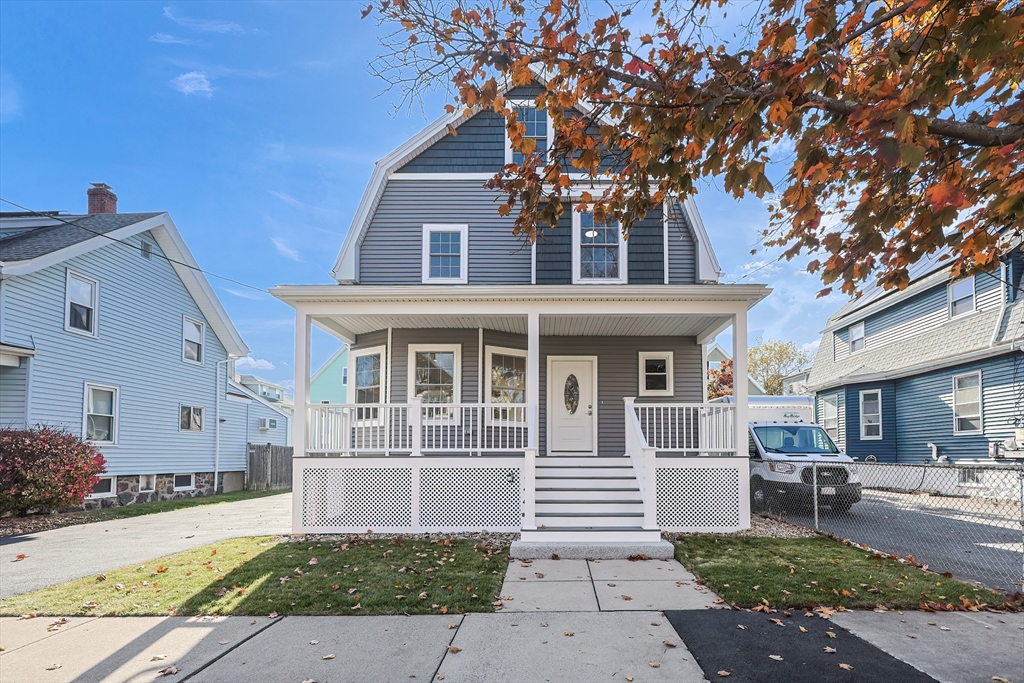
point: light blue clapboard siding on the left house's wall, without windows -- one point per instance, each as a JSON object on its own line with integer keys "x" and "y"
{"x": 139, "y": 350}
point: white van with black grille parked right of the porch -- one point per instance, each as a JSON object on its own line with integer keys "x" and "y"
{"x": 782, "y": 471}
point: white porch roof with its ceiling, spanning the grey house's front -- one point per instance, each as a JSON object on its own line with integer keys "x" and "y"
{"x": 684, "y": 311}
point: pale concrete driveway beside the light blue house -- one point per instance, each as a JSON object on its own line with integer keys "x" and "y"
{"x": 72, "y": 552}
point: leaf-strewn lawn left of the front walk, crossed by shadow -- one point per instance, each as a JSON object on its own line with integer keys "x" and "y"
{"x": 260, "y": 576}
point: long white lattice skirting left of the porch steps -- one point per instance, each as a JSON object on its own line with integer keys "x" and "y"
{"x": 408, "y": 495}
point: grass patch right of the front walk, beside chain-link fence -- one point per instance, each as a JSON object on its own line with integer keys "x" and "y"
{"x": 805, "y": 573}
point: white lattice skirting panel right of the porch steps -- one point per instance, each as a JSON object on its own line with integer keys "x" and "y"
{"x": 704, "y": 495}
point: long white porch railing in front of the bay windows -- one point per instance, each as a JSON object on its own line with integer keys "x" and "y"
{"x": 416, "y": 429}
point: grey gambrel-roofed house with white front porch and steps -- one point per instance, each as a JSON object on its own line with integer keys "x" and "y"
{"x": 557, "y": 389}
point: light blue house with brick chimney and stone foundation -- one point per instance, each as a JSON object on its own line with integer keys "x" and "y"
{"x": 110, "y": 330}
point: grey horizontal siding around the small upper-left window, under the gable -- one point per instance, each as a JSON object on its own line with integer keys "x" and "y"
{"x": 392, "y": 252}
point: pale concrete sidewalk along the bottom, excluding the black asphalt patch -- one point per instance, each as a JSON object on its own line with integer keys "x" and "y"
{"x": 504, "y": 647}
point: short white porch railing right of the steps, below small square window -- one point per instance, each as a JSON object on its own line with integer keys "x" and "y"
{"x": 692, "y": 429}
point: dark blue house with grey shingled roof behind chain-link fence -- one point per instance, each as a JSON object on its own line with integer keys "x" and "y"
{"x": 934, "y": 371}
